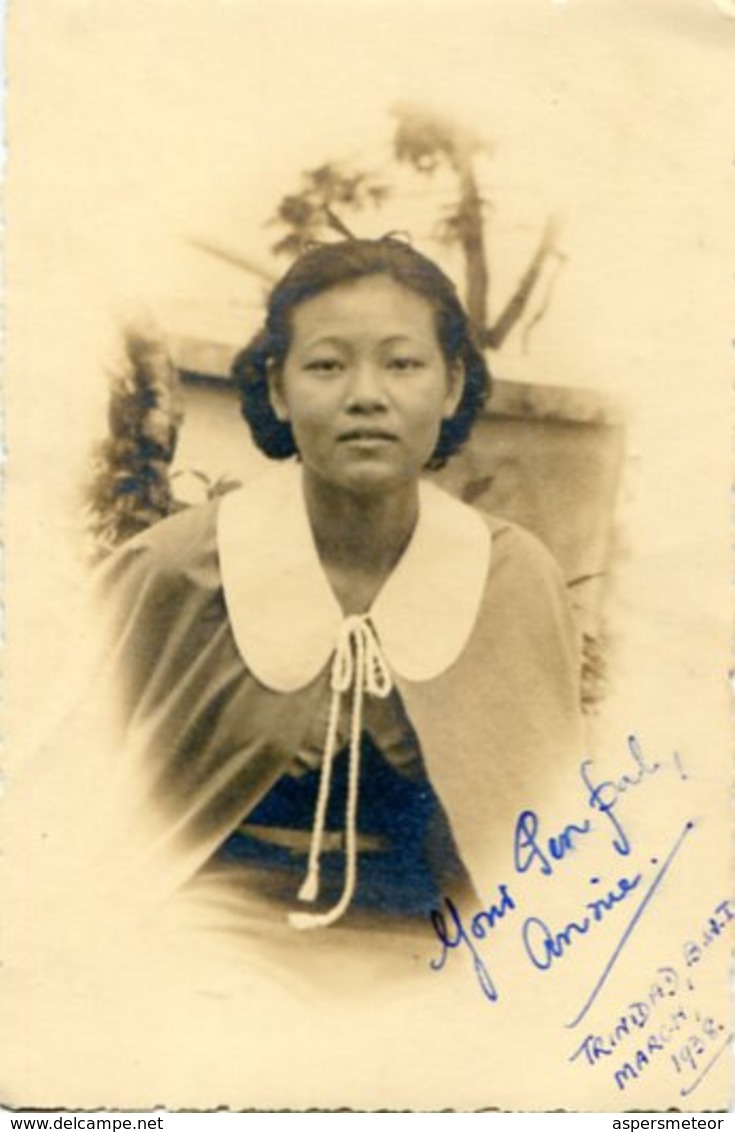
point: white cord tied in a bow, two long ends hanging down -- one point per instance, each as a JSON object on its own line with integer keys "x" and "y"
{"x": 360, "y": 665}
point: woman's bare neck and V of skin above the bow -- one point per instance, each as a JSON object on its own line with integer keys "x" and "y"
{"x": 360, "y": 538}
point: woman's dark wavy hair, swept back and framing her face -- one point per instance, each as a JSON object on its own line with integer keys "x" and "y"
{"x": 329, "y": 265}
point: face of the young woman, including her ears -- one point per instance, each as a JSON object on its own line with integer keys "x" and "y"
{"x": 365, "y": 384}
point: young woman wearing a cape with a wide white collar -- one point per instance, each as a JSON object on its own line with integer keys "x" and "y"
{"x": 340, "y": 684}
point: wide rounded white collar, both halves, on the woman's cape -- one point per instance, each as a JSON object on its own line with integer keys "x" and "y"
{"x": 285, "y": 616}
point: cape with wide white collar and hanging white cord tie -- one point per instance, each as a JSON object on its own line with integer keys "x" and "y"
{"x": 232, "y": 656}
